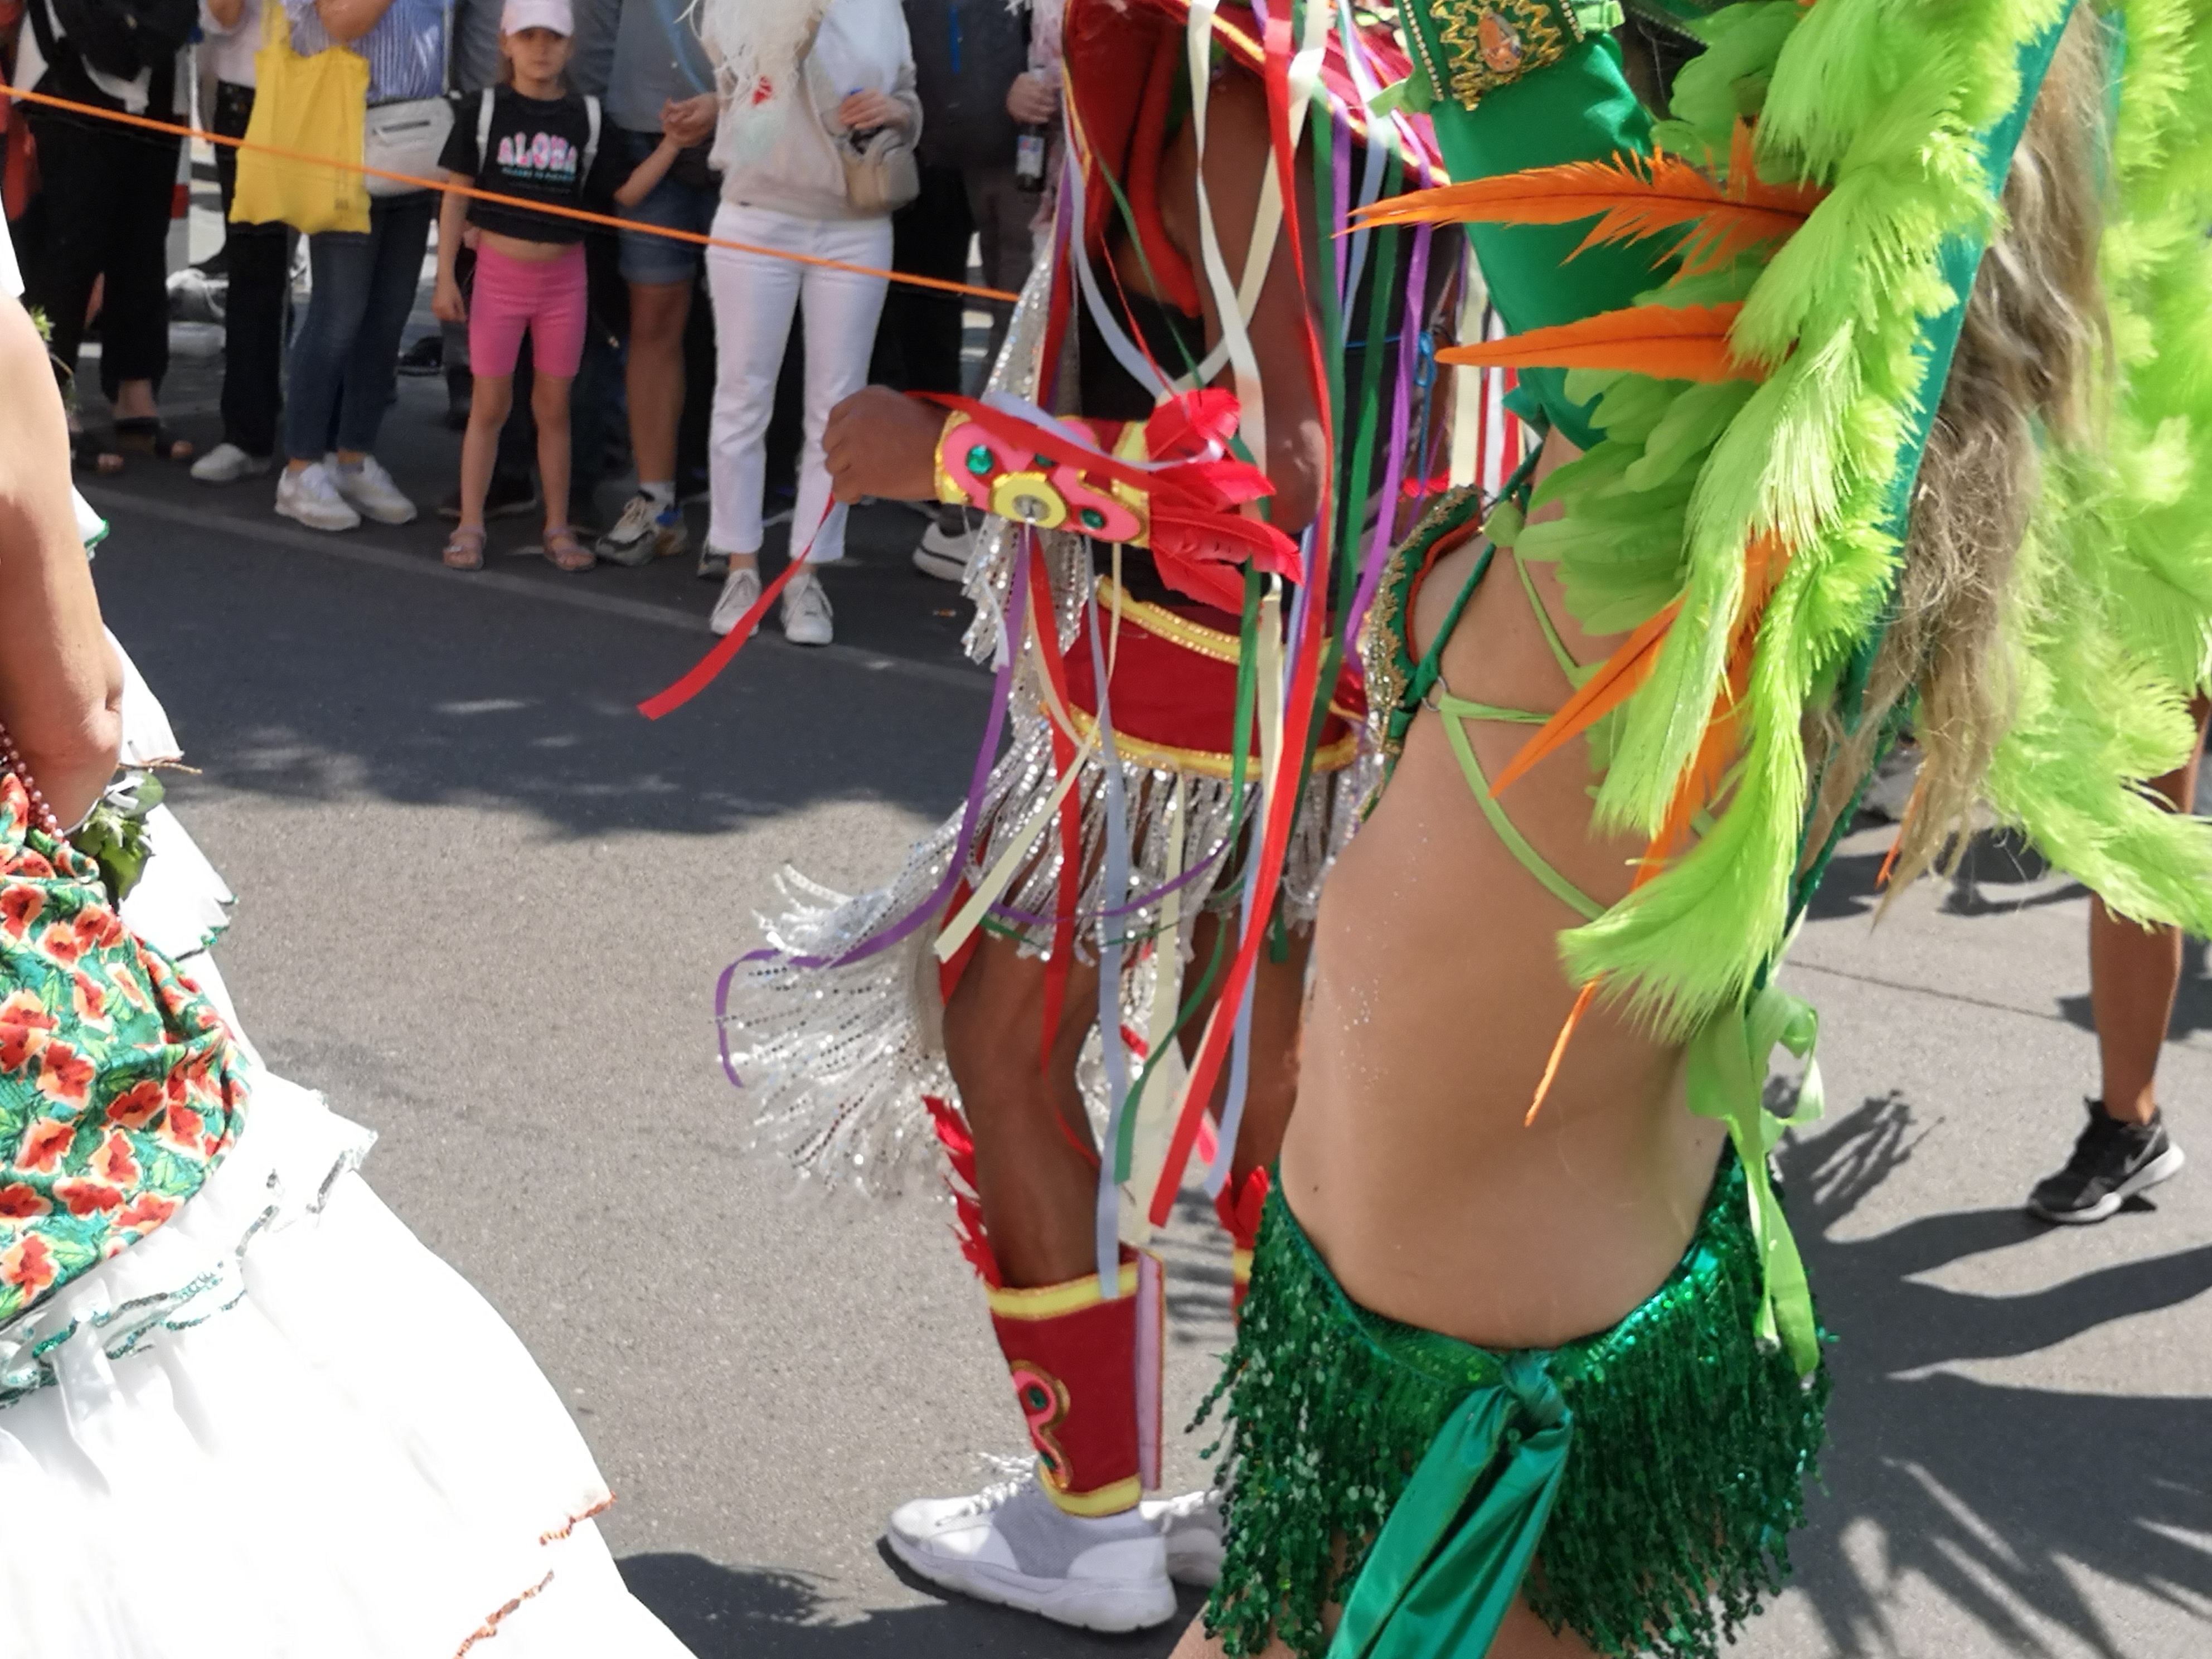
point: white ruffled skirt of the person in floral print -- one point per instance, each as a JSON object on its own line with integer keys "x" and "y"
{"x": 284, "y": 1430}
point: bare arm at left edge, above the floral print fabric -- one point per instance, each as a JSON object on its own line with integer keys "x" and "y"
{"x": 61, "y": 687}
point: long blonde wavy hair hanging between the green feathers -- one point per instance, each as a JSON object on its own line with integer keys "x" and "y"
{"x": 2030, "y": 373}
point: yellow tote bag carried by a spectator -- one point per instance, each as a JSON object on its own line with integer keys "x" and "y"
{"x": 311, "y": 107}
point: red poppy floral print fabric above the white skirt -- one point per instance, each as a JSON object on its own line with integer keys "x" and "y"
{"x": 118, "y": 1081}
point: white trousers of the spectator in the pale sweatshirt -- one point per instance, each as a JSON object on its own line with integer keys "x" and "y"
{"x": 753, "y": 320}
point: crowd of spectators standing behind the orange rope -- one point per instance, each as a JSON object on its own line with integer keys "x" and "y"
{"x": 574, "y": 355}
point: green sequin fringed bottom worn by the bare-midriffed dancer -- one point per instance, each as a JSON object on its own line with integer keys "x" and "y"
{"x": 1669, "y": 1514}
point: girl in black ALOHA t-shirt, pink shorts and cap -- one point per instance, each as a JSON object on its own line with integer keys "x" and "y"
{"x": 532, "y": 140}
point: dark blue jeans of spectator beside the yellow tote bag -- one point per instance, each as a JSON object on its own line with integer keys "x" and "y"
{"x": 348, "y": 344}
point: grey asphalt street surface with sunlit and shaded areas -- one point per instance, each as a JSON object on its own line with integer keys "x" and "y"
{"x": 483, "y": 906}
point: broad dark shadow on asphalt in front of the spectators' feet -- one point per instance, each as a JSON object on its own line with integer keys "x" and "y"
{"x": 317, "y": 678}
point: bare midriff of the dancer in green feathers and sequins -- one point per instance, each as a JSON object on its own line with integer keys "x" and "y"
{"x": 1434, "y": 1008}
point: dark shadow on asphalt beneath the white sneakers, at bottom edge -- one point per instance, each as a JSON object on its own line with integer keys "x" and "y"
{"x": 769, "y": 1614}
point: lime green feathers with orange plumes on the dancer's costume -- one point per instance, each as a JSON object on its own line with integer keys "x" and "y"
{"x": 1835, "y": 174}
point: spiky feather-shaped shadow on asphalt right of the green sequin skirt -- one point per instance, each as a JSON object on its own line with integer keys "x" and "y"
{"x": 1996, "y": 1496}
